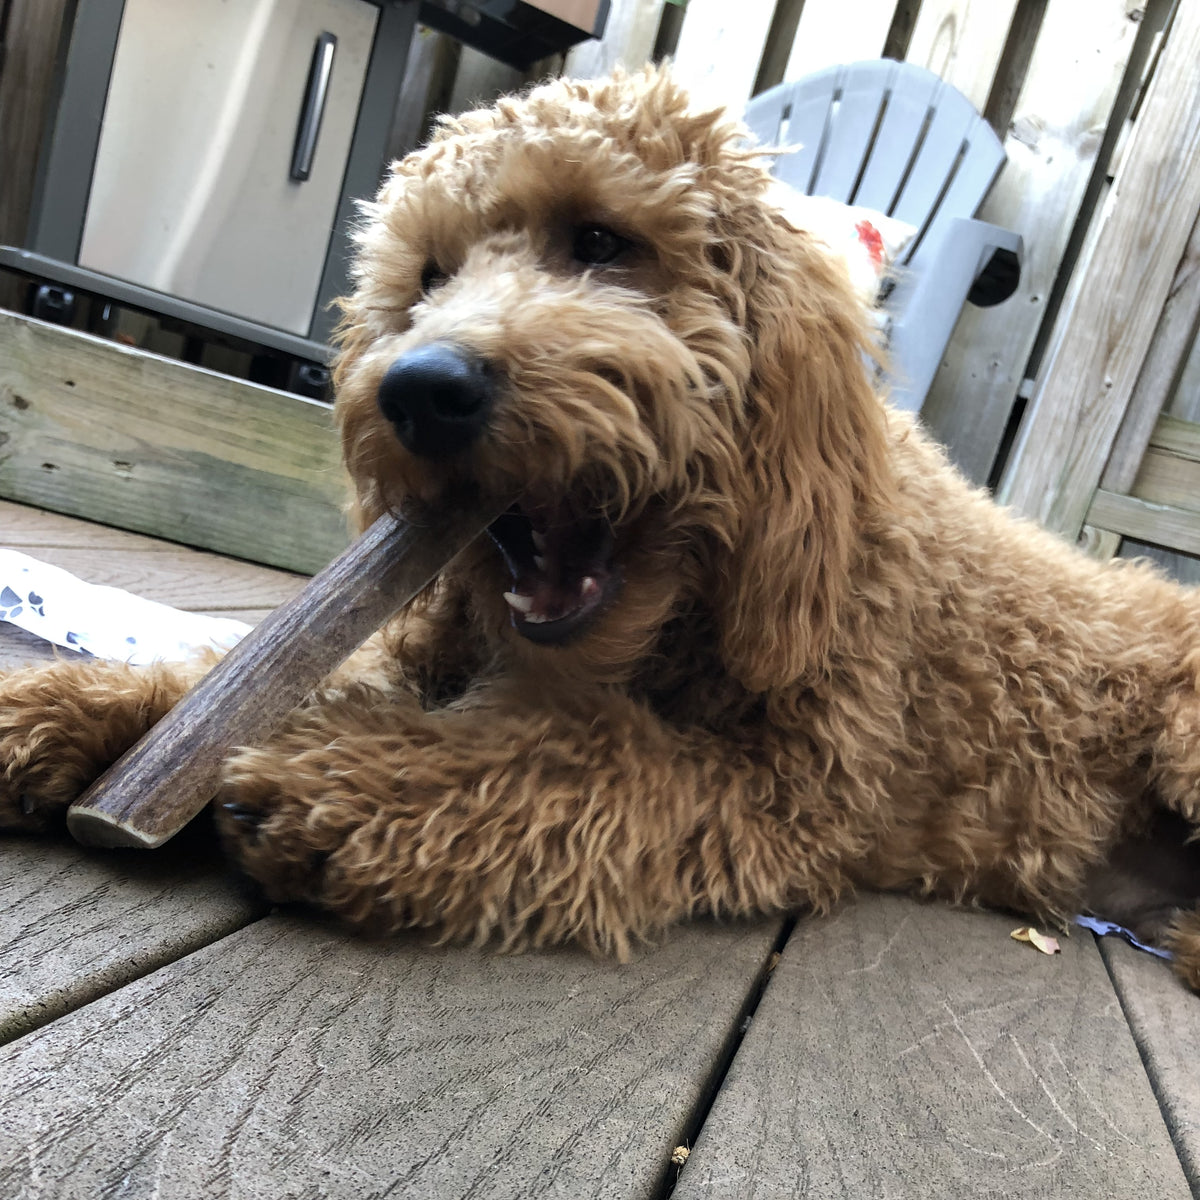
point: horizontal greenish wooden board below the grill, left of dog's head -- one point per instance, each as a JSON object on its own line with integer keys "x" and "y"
{"x": 94, "y": 429}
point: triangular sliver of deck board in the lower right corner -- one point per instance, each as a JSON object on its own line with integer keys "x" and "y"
{"x": 1165, "y": 1018}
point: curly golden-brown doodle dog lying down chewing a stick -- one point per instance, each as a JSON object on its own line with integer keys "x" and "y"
{"x": 745, "y": 643}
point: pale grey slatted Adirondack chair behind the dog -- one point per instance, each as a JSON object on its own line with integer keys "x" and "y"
{"x": 896, "y": 139}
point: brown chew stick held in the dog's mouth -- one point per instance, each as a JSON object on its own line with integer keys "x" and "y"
{"x": 165, "y": 781}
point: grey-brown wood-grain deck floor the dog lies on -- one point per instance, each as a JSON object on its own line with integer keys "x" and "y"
{"x": 167, "y": 1036}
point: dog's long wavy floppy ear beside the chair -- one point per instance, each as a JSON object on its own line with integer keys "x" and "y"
{"x": 813, "y": 449}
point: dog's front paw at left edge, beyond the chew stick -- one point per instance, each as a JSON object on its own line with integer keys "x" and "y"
{"x": 63, "y": 725}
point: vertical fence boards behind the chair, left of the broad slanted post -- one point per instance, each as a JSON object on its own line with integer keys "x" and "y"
{"x": 1058, "y": 80}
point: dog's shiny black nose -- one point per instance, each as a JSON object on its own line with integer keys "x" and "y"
{"x": 437, "y": 399}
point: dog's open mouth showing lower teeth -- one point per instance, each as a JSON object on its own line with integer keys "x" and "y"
{"x": 562, "y": 566}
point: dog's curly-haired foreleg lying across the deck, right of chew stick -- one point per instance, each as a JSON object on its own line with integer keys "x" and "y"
{"x": 529, "y": 824}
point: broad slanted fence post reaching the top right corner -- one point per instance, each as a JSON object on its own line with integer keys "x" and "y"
{"x": 1069, "y": 434}
